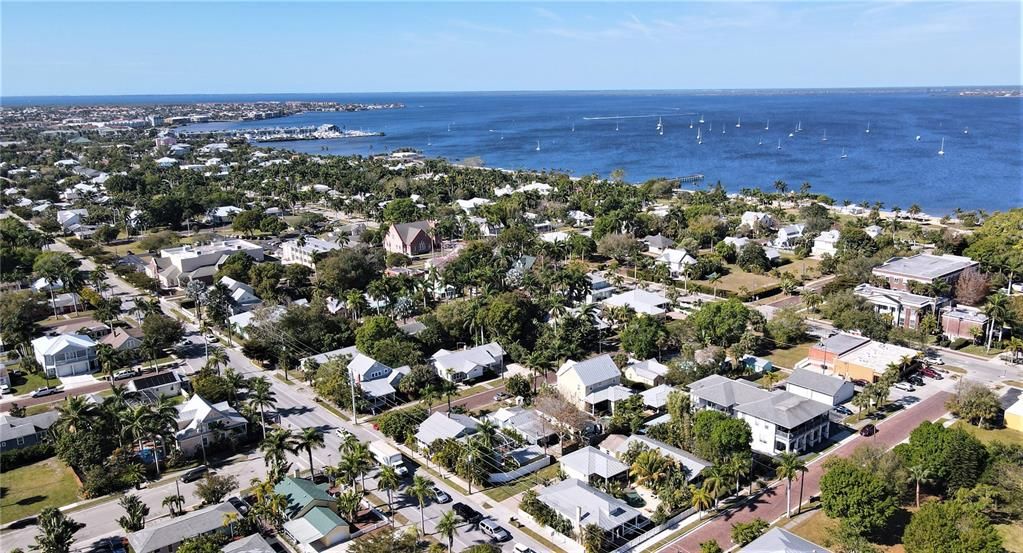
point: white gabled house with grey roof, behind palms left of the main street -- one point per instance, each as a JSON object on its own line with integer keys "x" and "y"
{"x": 202, "y": 424}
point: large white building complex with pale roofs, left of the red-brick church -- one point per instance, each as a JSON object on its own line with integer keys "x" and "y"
{"x": 179, "y": 266}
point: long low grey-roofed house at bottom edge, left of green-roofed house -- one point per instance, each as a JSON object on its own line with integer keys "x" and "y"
{"x": 166, "y": 536}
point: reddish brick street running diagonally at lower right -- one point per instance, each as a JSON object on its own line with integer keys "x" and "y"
{"x": 772, "y": 504}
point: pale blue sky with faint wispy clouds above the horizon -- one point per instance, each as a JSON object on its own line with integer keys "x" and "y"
{"x": 234, "y": 48}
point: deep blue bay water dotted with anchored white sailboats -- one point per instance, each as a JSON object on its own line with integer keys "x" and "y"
{"x": 981, "y": 170}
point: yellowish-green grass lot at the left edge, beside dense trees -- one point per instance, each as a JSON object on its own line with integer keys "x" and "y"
{"x": 31, "y": 489}
